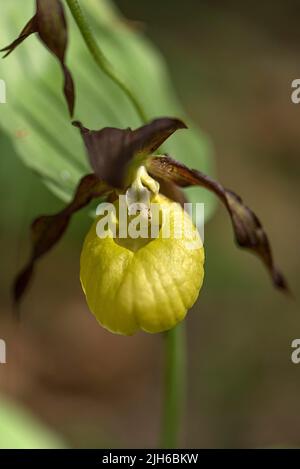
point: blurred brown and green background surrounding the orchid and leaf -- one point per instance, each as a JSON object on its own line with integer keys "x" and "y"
{"x": 232, "y": 66}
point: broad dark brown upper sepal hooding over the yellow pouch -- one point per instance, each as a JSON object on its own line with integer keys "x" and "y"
{"x": 110, "y": 150}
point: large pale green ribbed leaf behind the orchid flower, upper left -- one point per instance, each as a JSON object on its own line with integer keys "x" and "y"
{"x": 35, "y": 116}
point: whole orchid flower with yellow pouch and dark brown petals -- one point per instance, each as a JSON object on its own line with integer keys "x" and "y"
{"x": 142, "y": 282}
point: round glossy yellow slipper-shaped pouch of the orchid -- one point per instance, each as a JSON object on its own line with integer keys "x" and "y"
{"x": 143, "y": 285}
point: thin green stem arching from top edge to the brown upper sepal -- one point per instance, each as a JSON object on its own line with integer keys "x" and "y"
{"x": 100, "y": 58}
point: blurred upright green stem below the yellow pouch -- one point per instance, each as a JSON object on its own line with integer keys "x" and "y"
{"x": 174, "y": 398}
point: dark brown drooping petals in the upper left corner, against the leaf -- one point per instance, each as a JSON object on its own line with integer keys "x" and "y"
{"x": 50, "y": 24}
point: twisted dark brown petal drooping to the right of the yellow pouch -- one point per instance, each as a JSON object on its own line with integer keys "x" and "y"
{"x": 248, "y": 230}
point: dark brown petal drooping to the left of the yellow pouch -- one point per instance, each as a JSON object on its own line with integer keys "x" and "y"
{"x": 47, "y": 230}
